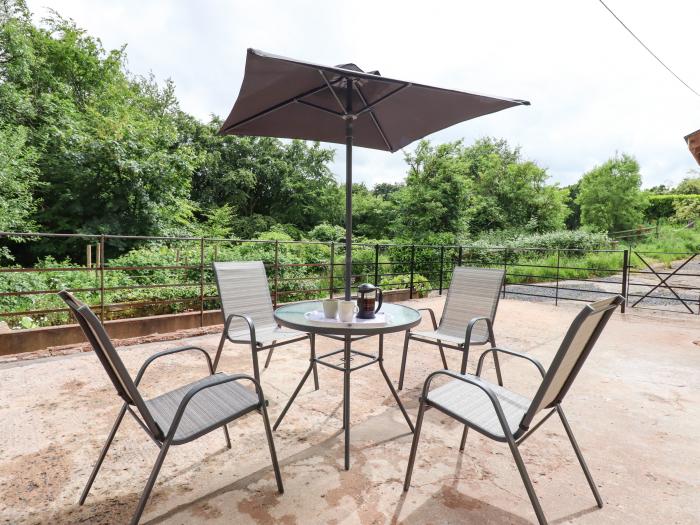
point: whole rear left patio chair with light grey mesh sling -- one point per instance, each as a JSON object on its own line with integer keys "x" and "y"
{"x": 248, "y": 313}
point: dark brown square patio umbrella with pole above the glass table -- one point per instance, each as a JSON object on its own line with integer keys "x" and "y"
{"x": 286, "y": 98}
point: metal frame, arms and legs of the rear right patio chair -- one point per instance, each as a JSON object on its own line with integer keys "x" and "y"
{"x": 463, "y": 347}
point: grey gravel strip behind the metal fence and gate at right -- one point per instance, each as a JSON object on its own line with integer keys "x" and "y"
{"x": 686, "y": 283}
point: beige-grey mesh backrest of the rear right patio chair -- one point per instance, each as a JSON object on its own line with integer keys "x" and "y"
{"x": 473, "y": 292}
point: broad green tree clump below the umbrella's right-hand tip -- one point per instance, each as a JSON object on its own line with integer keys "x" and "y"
{"x": 487, "y": 186}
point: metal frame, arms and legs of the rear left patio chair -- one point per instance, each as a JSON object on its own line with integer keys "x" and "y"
{"x": 255, "y": 348}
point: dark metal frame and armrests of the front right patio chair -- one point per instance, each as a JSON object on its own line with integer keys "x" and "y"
{"x": 514, "y": 440}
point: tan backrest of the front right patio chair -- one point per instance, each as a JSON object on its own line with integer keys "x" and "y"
{"x": 577, "y": 344}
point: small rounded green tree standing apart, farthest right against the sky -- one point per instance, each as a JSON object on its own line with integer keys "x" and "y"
{"x": 610, "y": 196}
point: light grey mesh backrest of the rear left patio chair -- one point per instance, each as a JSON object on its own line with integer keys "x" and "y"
{"x": 244, "y": 290}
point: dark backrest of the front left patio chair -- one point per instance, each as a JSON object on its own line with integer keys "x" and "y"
{"x": 102, "y": 345}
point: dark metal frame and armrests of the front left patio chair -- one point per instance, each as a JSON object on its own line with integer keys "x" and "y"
{"x": 165, "y": 440}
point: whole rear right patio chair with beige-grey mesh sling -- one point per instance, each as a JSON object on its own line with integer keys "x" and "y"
{"x": 467, "y": 318}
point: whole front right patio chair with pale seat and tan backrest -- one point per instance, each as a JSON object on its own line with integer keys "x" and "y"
{"x": 505, "y": 416}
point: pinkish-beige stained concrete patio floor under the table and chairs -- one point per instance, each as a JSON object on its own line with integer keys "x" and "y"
{"x": 635, "y": 410}
